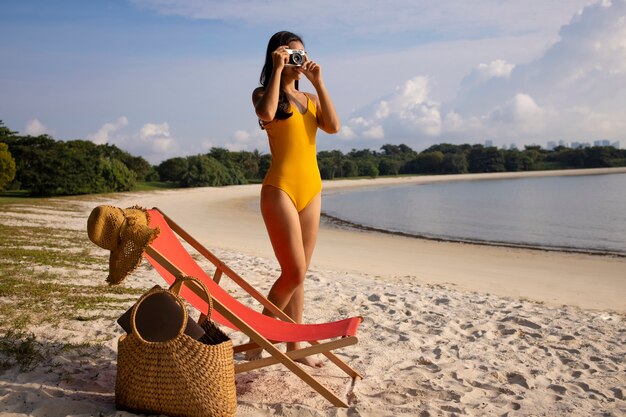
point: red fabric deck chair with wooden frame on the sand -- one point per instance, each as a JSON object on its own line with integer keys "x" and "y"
{"x": 171, "y": 259}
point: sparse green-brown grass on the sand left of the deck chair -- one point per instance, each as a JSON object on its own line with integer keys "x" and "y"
{"x": 37, "y": 270}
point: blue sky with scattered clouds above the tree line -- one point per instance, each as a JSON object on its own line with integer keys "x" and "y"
{"x": 164, "y": 78}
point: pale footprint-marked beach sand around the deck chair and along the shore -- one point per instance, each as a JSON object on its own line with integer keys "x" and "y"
{"x": 449, "y": 329}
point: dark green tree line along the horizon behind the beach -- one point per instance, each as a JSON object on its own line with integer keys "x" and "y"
{"x": 44, "y": 166}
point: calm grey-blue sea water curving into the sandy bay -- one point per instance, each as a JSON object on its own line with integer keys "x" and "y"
{"x": 582, "y": 213}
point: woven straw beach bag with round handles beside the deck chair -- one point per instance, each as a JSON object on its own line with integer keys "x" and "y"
{"x": 178, "y": 377}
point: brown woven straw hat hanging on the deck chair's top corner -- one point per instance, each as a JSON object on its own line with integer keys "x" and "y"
{"x": 125, "y": 232}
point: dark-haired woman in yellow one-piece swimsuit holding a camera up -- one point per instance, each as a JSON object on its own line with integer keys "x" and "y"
{"x": 291, "y": 192}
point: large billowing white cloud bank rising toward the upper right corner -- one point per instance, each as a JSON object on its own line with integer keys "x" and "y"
{"x": 575, "y": 90}
